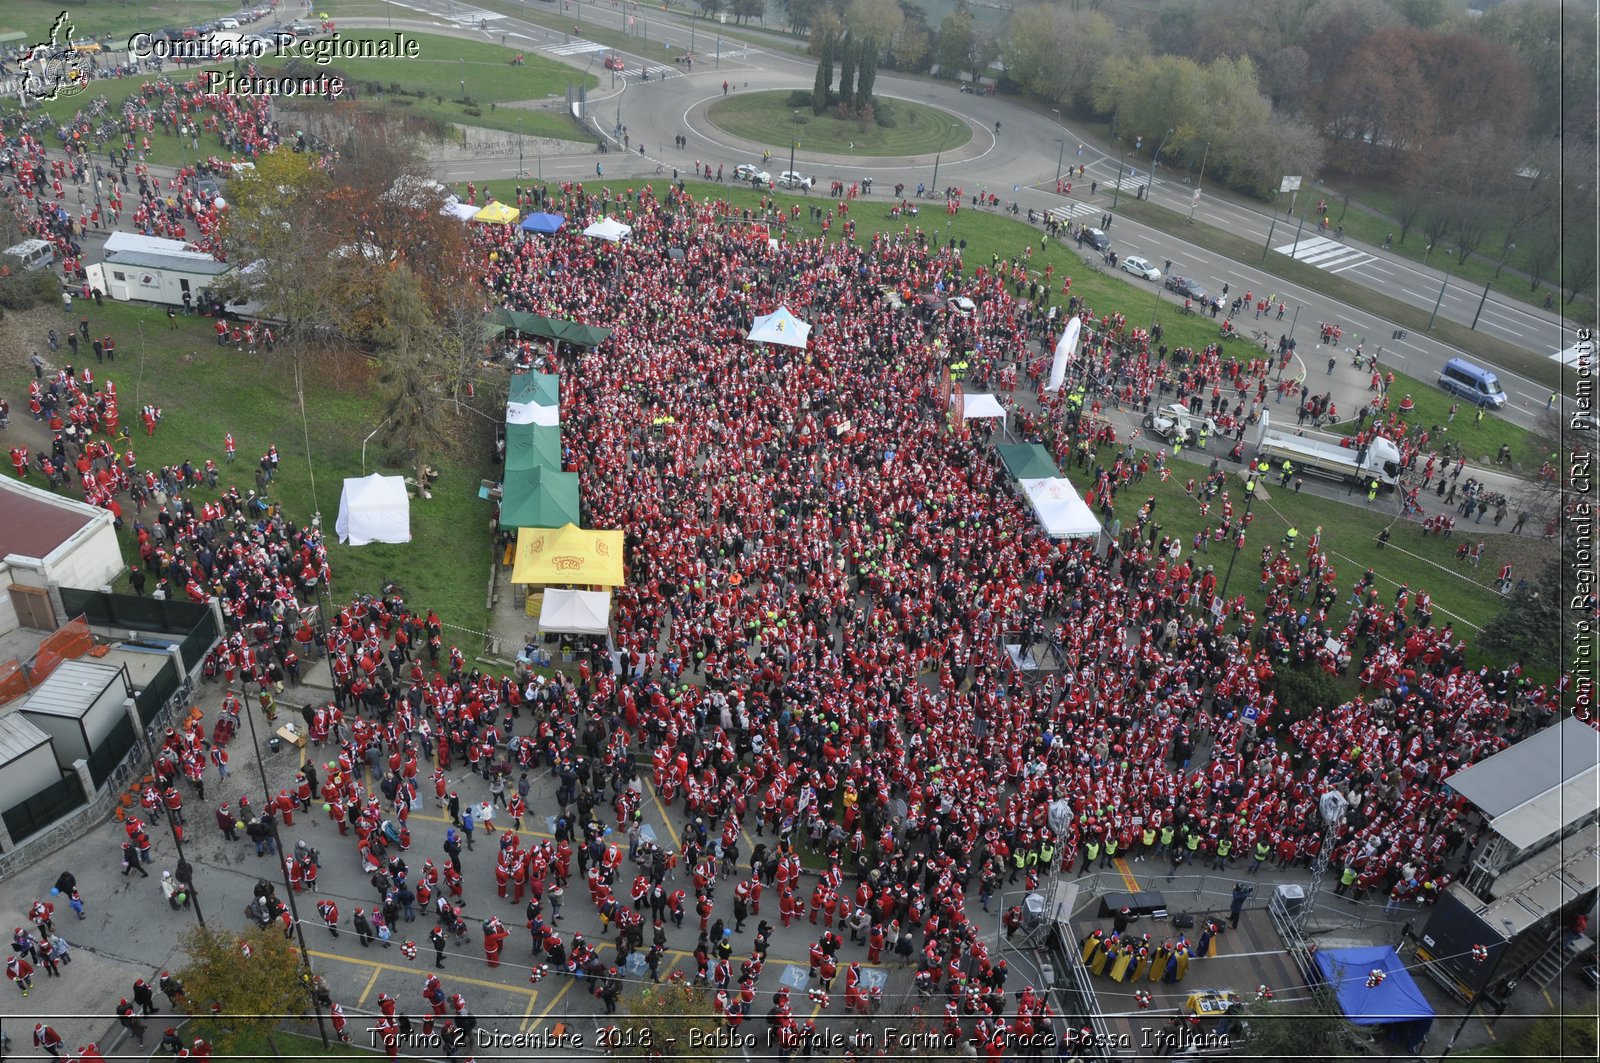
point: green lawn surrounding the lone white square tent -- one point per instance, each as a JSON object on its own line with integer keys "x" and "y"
{"x": 207, "y": 391}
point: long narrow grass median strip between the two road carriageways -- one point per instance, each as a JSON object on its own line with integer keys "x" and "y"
{"x": 1383, "y": 307}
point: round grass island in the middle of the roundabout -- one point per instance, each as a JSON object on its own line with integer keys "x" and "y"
{"x": 770, "y": 119}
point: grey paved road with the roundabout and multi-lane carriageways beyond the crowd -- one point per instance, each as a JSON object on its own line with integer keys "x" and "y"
{"x": 1020, "y": 164}
